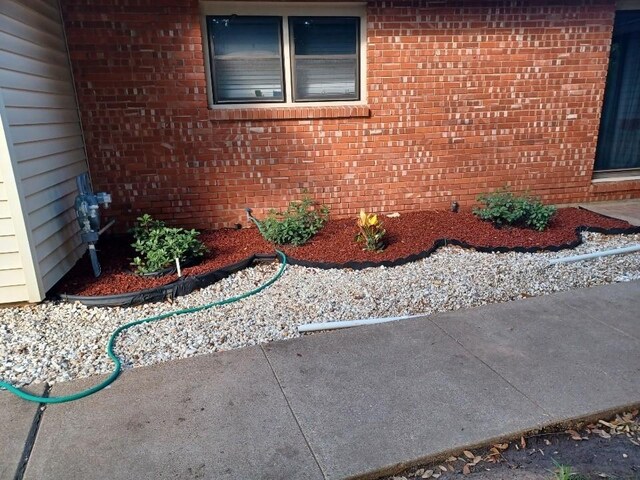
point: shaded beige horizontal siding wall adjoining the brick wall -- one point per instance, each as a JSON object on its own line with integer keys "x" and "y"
{"x": 43, "y": 130}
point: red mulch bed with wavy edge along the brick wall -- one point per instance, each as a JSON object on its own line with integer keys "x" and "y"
{"x": 409, "y": 234}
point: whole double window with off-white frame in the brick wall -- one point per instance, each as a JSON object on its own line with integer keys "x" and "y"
{"x": 266, "y": 54}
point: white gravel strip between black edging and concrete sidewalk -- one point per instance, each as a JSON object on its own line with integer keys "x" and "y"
{"x": 55, "y": 342}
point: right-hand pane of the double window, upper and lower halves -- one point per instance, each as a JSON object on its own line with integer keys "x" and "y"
{"x": 325, "y": 57}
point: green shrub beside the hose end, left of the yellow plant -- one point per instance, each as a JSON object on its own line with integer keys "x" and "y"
{"x": 296, "y": 225}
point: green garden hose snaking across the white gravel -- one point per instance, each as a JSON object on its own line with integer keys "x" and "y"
{"x": 117, "y": 364}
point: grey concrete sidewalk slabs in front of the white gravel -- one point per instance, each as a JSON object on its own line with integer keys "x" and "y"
{"x": 345, "y": 404}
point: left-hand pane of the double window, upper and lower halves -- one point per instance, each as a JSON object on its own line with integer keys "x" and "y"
{"x": 247, "y": 63}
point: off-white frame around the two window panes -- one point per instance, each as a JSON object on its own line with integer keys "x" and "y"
{"x": 286, "y": 10}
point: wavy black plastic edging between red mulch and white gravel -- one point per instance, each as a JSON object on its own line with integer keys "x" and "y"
{"x": 187, "y": 284}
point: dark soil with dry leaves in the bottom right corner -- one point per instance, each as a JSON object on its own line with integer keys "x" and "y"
{"x": 592, "y": 458}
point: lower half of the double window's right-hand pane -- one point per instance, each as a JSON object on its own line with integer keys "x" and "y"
{"x": 325, "y": 79}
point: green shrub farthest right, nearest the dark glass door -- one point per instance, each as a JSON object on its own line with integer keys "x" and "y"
{"x": 503, "y": 207}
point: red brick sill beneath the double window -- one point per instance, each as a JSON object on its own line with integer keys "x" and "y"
{"x": 298, "y": 112}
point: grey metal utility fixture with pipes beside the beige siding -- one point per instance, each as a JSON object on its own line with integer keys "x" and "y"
{"x": 88, "y": 211}
